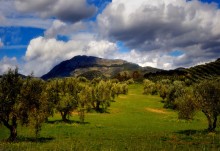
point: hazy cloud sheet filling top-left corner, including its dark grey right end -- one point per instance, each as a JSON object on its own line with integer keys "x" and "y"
{"x": 42, "y": 13}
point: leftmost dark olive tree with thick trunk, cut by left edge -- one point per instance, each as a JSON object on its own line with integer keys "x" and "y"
{"x": 10, "y": 85}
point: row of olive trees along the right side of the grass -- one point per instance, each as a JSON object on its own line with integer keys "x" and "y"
{"x": 187, "y": 99}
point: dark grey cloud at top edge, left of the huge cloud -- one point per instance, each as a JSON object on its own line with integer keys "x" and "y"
{"x": 65, "y": 10}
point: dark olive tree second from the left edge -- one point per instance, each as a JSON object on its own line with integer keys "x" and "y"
{"x": 34, "y": 106}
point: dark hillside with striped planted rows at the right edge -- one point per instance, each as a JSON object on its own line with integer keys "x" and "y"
{"x": 200, "y": 72}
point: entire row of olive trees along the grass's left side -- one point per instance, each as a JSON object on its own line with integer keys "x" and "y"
{"x": 30, "y": 101}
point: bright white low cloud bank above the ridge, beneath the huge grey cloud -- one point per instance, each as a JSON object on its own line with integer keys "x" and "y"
{"x": 164, "y": 60}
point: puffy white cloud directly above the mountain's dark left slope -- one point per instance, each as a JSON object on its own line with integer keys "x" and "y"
{"x": 44, "y": 53}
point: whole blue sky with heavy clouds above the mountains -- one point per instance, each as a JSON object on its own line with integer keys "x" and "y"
{"x": 36, "y": 35}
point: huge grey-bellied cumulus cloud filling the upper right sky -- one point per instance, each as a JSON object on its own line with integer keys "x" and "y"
{"x": 162, "y": 26}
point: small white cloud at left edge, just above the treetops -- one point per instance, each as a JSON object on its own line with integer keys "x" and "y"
{"x": 7, "y": 63}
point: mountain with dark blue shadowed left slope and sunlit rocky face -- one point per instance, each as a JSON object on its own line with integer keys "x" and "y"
{"x": 91, "y": 67}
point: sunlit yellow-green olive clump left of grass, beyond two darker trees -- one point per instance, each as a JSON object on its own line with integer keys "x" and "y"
{"x": 78, "y": 94}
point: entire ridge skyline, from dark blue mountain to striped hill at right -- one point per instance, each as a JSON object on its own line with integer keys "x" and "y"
{"x": 91, "y": 67}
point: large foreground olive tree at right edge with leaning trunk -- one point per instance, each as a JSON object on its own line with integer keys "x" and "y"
{"x": 205, "y": 97}
